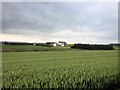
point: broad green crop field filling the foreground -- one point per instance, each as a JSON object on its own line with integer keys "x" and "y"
{"x": 60, "y": 69}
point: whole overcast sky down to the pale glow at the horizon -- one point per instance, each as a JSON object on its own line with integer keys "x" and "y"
{"x": 73, "y": 22}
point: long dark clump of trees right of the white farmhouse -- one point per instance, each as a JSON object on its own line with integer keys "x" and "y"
{"x": 92, "y": 47}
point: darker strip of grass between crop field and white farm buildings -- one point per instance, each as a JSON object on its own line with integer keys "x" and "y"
{"x": 23, "y": 48}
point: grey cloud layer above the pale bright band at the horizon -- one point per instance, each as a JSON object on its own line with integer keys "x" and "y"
{"x": 28, "y": 18}
